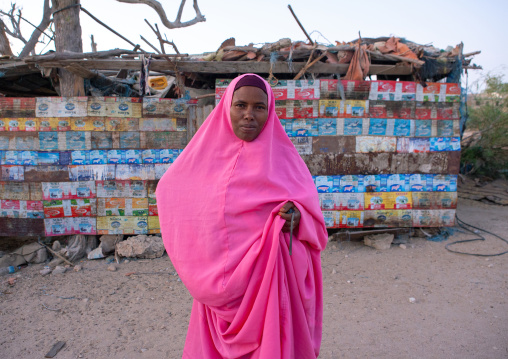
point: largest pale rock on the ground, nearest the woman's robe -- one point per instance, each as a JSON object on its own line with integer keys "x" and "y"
{"x": 141, "y": 246}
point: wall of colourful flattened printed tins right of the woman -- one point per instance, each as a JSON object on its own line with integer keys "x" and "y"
{"x": 383, "y": 153}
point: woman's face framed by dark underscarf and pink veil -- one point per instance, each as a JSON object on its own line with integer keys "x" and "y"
{"x": 249, "y": 112}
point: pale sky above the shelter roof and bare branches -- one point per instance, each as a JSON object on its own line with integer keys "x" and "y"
{"x": 481, "y": 25}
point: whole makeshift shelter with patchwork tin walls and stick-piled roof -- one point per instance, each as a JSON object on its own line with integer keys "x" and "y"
{"x": 384, "y": 152}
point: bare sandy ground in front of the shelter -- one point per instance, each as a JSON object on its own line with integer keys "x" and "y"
{"x": 460, "y": 308}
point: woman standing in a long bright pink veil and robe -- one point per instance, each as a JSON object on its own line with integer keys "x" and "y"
{"x": 222, "y": 210}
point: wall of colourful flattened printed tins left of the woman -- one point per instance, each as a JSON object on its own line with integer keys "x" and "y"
{"x": 85, "y": 165}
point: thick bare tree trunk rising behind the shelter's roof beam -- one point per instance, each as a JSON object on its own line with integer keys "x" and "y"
{"x": 68, "y": 38}
